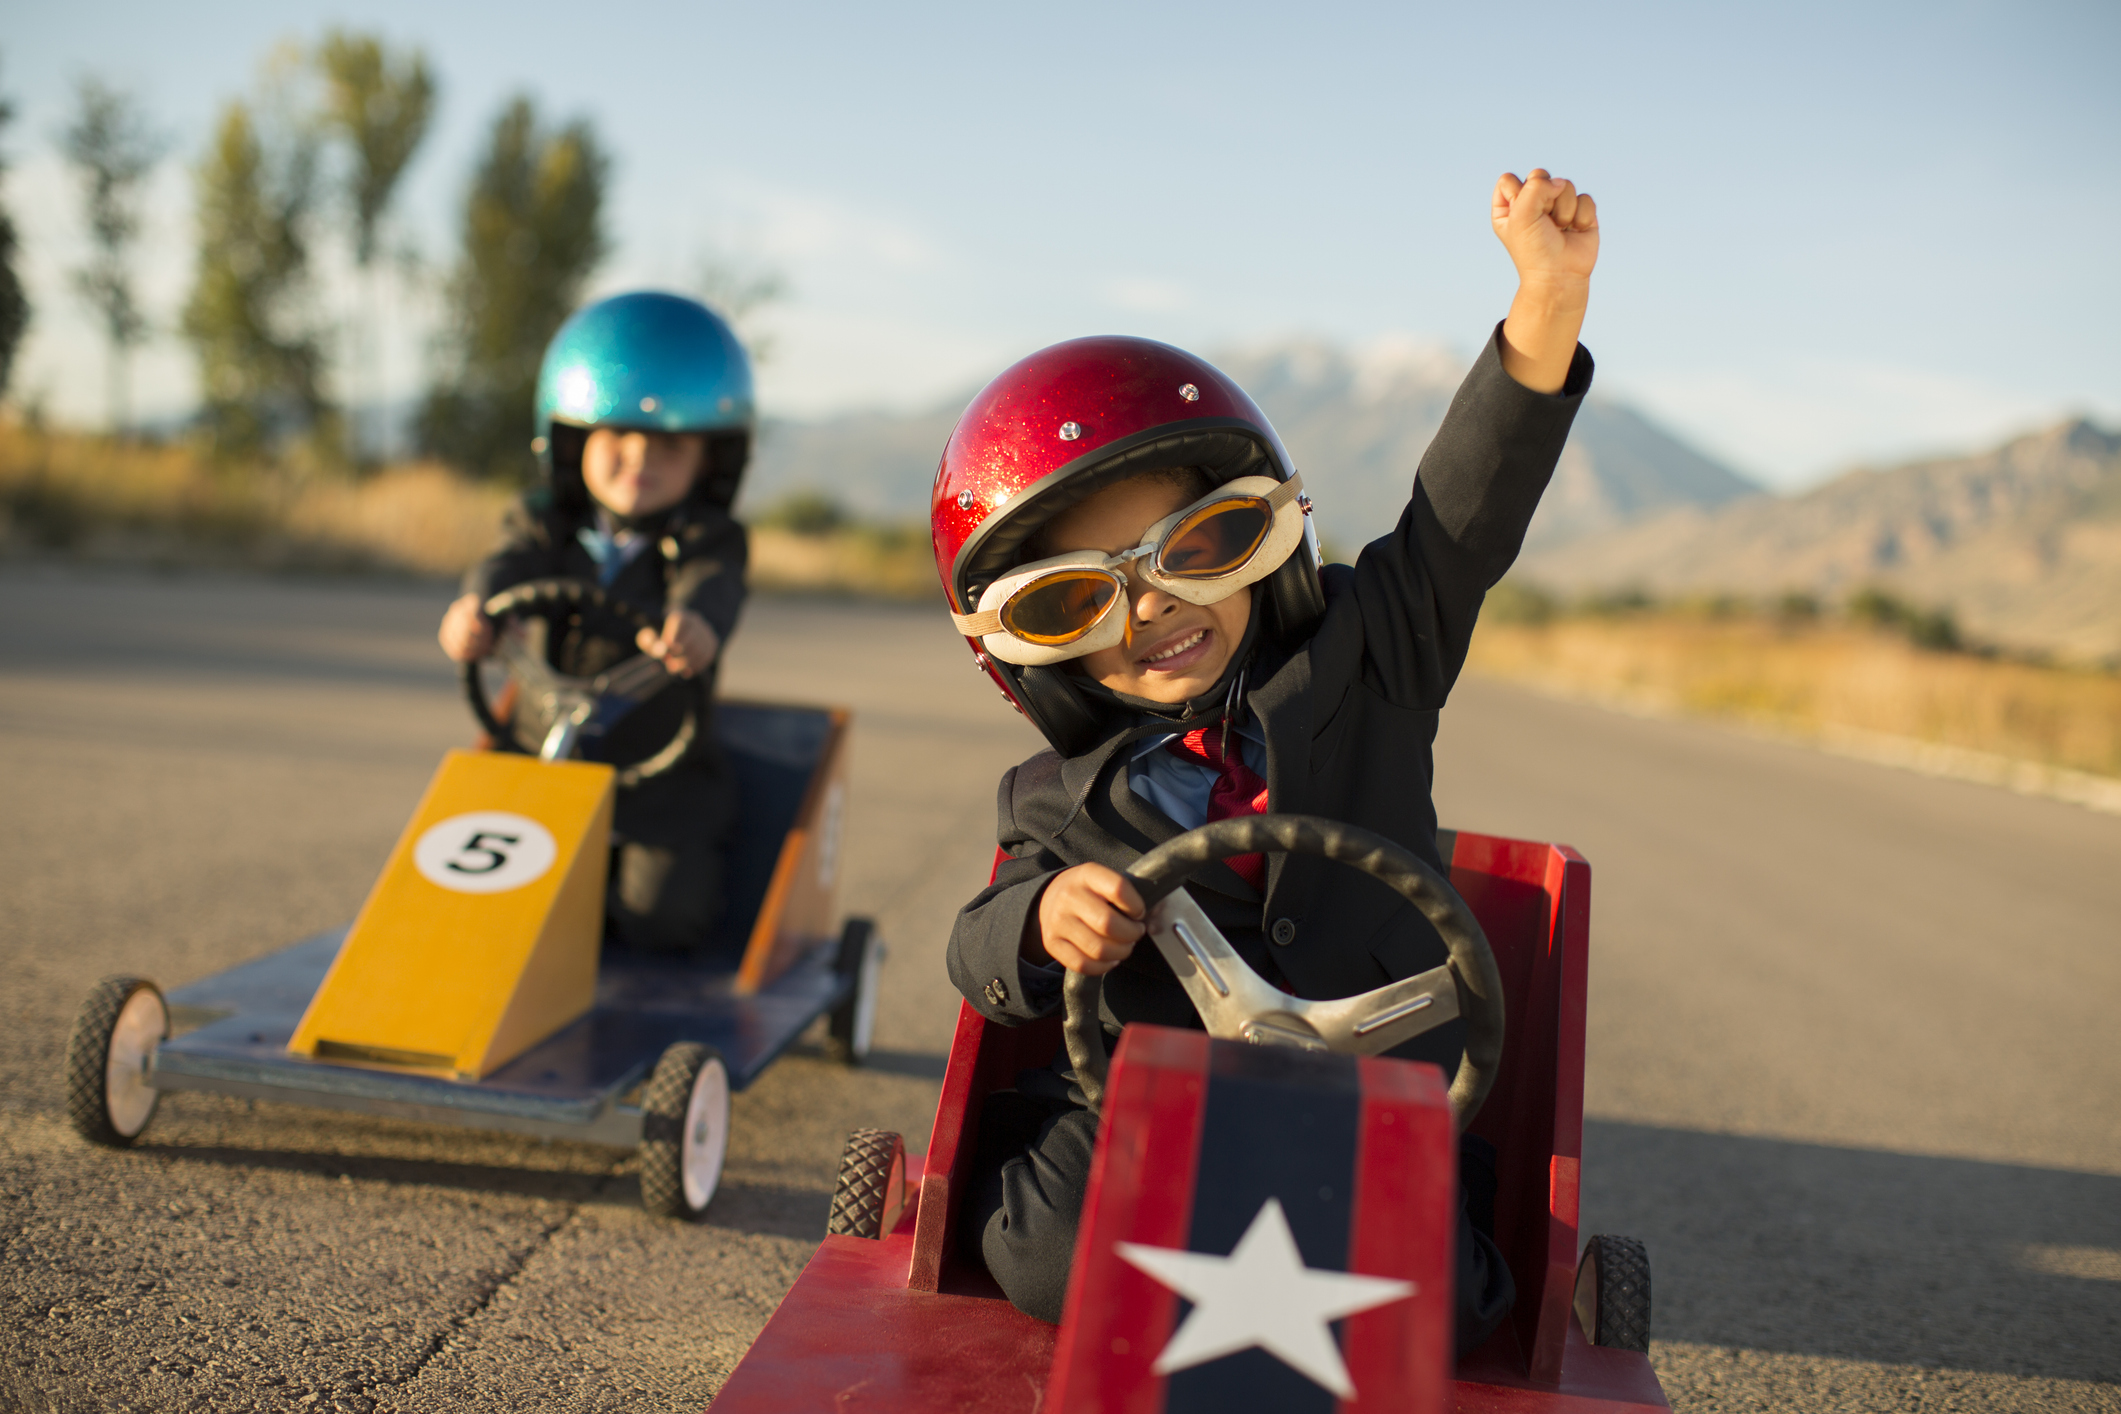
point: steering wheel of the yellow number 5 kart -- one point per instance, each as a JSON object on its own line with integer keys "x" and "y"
{"x": 576, "y": 707}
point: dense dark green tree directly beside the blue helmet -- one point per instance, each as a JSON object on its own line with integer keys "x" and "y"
{"x": 533, "y": 234}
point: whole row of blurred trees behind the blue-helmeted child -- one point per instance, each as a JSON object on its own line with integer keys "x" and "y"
{"x": 306, "y": 171}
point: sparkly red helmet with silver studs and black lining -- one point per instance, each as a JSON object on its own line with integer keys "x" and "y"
{"x": 1064, "y": 425}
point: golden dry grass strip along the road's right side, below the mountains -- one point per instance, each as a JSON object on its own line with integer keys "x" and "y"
{"x": 1817, "y": 679}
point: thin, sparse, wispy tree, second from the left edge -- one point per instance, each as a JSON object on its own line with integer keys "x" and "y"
{"x": 116, "y": 149}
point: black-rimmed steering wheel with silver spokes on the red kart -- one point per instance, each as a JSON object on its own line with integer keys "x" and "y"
{"x": 1235, "y": 1004}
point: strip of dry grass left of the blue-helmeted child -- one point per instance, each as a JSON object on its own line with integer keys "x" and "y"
{"x": 116, "y": 501}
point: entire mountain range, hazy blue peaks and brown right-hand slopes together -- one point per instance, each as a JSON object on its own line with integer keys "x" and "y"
{"x": 2022, "y": 542}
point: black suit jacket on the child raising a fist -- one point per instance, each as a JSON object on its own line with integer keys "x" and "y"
{"x": 1350, "y": 722}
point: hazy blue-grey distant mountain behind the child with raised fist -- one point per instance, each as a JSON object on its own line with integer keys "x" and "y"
{"x": 1356, "y": 423}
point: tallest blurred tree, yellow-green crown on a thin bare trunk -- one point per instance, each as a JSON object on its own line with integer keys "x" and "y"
{"x": 381, "y": 107}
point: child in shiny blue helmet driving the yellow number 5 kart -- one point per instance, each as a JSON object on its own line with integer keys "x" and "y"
{"x": 644, "y": 423}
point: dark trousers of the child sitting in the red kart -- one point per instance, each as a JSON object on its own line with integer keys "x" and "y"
{"x": 1030, "y": 1180}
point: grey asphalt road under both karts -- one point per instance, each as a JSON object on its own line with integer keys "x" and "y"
{"x": 1853, "y": 1065}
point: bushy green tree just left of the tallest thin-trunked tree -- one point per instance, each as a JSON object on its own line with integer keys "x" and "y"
{"x": 260, "y": 359}
